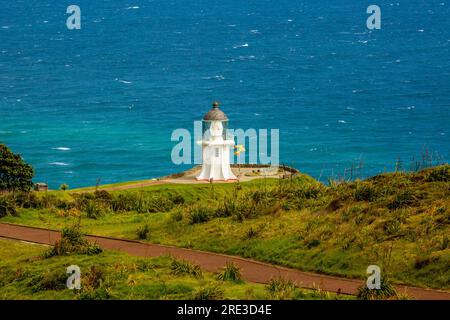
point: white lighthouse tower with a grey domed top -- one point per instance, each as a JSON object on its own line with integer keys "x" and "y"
{"x": 216, "y": 148}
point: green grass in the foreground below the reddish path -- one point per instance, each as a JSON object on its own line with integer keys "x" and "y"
{"x": 26, "y": 274}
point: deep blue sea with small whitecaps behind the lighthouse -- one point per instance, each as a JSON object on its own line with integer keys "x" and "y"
{"x": 101, "y": 102}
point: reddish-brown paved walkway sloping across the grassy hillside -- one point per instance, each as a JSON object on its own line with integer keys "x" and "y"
{"x": 252, "y": 271}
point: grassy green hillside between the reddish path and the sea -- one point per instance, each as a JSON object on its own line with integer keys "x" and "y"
{"x": 399, "y": 221}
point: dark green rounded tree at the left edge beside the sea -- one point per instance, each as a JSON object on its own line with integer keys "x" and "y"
{"x": 15, "y": 174}
